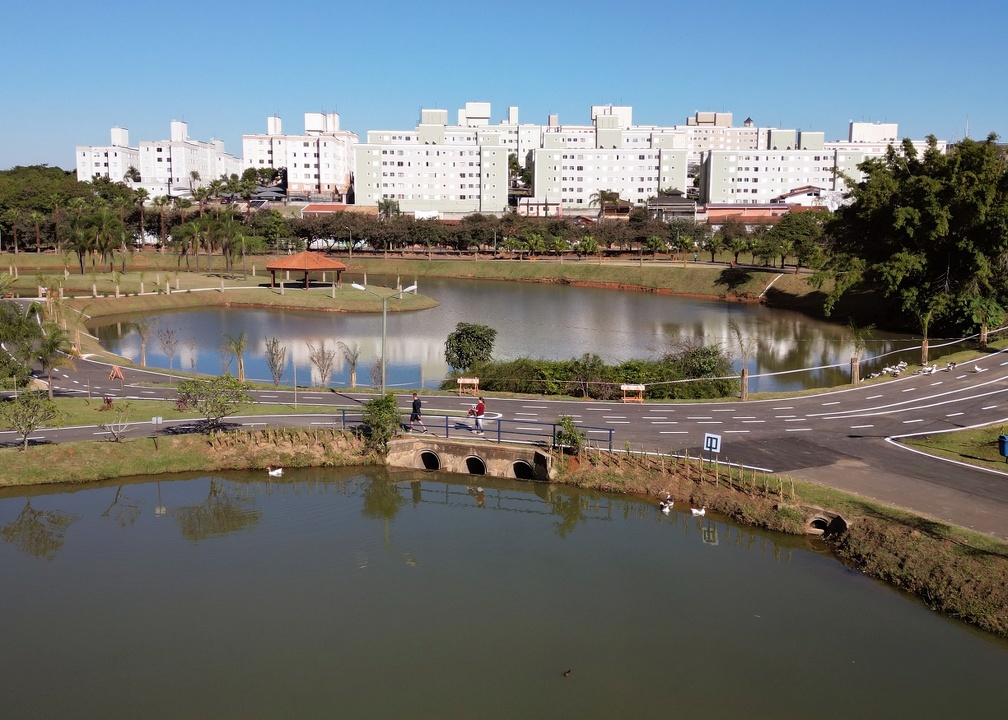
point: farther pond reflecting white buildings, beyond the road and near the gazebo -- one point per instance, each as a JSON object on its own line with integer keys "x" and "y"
{"x": 533, "y": 320}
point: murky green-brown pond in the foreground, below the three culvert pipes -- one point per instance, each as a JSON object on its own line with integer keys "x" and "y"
{"x": 356, "y": 593}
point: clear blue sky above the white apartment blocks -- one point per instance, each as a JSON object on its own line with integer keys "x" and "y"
{"x": 74, "y": 69}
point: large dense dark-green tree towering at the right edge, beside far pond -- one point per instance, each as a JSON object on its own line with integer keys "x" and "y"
{"x": 929, "y": 231}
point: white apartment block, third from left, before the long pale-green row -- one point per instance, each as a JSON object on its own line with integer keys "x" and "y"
{"x": 320, "y": 163}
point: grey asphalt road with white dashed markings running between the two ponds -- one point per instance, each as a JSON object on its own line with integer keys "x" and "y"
{"x": 841, "y": 439}
